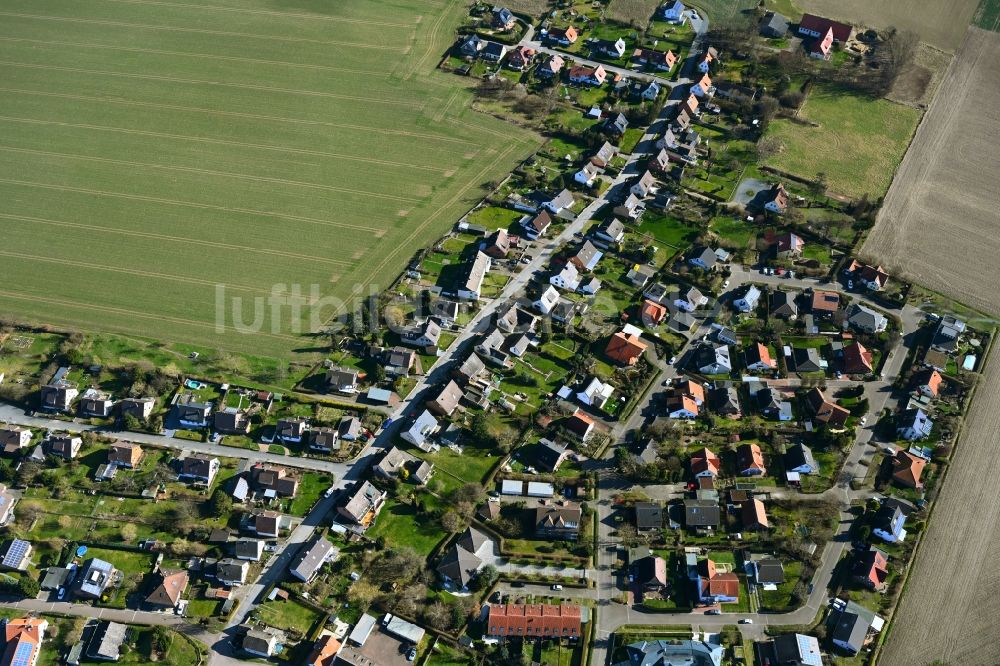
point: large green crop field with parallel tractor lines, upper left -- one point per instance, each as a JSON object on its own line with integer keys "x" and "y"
{"x": 152, "y": 150}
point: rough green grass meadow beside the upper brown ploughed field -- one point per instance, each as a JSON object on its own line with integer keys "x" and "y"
{"x": 858, "y": 142}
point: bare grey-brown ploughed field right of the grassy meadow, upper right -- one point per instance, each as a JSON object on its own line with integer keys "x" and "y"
{"x": 940, "y": 223}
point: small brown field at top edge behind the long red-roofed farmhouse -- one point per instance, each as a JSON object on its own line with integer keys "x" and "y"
{"x": 939, "y": 23}
